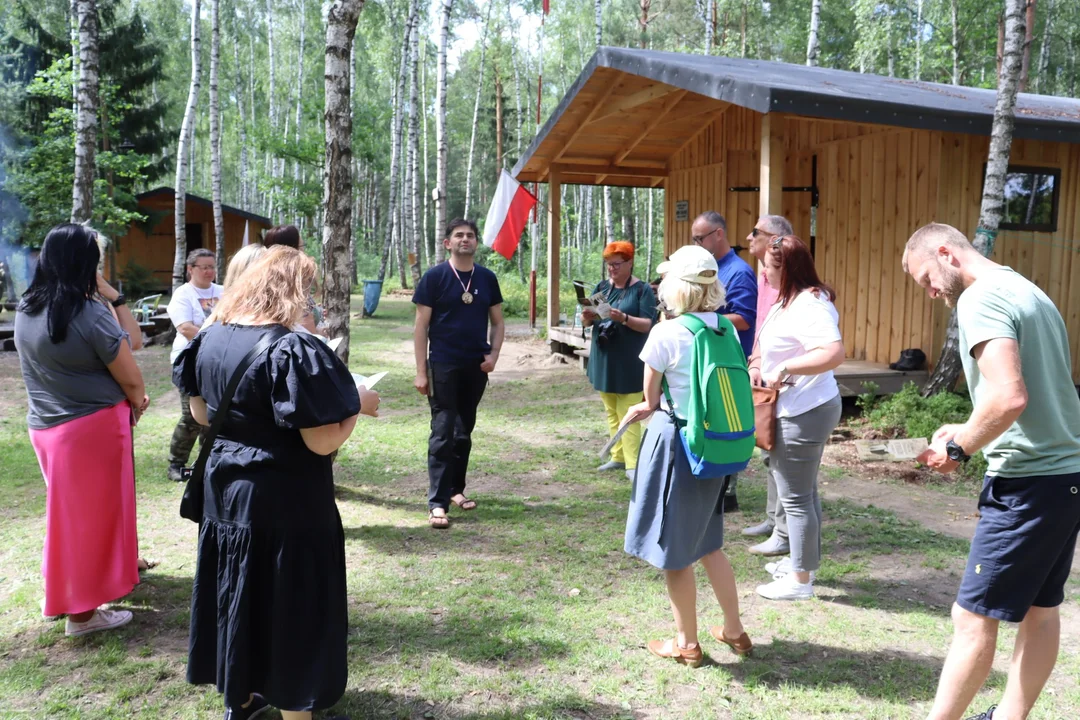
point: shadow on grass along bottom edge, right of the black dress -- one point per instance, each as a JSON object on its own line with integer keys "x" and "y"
{"x": 379, "y": 704}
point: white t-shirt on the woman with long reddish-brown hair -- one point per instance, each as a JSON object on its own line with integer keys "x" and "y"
{"x": 806, "y": 323}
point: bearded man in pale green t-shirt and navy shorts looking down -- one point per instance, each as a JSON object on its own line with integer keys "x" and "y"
{"x": 1027, "y": 422}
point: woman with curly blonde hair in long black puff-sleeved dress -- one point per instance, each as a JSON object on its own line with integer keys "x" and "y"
{"x": 269, "y": 621}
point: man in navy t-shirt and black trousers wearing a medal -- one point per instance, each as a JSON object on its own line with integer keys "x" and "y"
{"x": 455, "y": 351}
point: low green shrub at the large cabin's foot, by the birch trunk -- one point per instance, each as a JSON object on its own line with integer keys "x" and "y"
{"x": 911, "y": 415}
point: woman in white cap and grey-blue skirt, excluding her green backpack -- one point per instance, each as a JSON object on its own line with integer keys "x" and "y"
{"x": 677, "y": 520}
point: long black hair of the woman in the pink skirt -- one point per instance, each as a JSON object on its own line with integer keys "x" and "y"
{"x": 66, "y": 278}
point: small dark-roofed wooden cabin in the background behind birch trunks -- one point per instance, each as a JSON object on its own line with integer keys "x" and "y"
{"x": 153, "y": 243}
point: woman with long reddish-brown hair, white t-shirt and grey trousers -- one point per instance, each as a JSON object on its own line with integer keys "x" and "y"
{"x": 799, "y": 347}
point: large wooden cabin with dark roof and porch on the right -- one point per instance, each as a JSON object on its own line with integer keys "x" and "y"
{"x": 857, "y": 162}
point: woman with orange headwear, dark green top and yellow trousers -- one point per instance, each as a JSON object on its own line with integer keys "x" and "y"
{"x": 615, "y": 370}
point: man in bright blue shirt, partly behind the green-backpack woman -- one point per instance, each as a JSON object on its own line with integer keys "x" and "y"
{"x": 710, "y": 230}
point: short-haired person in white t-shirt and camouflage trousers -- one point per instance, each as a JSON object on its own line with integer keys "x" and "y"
{"x": 190, "y": 308}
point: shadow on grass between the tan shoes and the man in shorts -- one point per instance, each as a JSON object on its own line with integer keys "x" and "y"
{"x": 888, "y": 675}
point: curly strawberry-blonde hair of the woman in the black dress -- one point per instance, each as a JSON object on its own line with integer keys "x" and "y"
{"x": 275, "y": 289}
